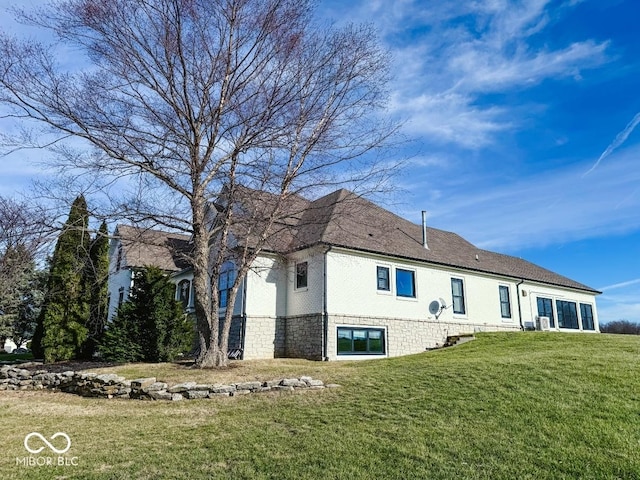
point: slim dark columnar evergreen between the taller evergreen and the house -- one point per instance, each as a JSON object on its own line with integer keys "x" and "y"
{"x": 96, "y": 278}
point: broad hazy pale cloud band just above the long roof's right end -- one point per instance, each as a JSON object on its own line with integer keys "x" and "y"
{"x": 553, "y": 207}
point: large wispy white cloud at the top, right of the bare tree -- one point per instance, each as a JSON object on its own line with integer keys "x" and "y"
{"x": 448, "y": 54}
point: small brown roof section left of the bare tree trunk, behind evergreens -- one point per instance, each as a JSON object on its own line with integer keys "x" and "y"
{"x": 142, "y": 247}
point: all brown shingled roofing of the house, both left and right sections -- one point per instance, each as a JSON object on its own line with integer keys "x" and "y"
{"x": 340, "y": 219}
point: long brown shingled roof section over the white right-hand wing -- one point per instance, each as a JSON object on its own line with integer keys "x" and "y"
{"x": 345, "y": 220}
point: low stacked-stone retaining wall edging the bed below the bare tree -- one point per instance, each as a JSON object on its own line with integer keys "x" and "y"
{"x": 114, "y": 386}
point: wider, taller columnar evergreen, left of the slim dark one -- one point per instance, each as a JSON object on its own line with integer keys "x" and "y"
{"x": 62, "y": 324}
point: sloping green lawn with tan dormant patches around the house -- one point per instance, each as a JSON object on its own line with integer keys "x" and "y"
{"x": 512, "y": 406}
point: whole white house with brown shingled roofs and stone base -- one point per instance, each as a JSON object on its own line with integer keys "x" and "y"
{"x": 348, "y": 279}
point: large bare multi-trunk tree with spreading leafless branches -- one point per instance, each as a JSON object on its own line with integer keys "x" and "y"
{"x": 194, "y": 101}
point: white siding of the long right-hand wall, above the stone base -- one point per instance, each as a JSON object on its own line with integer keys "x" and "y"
{"x": 352, "y": 290}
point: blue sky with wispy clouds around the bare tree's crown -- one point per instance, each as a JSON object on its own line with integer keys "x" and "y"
{"x": 525, "y": 120}
